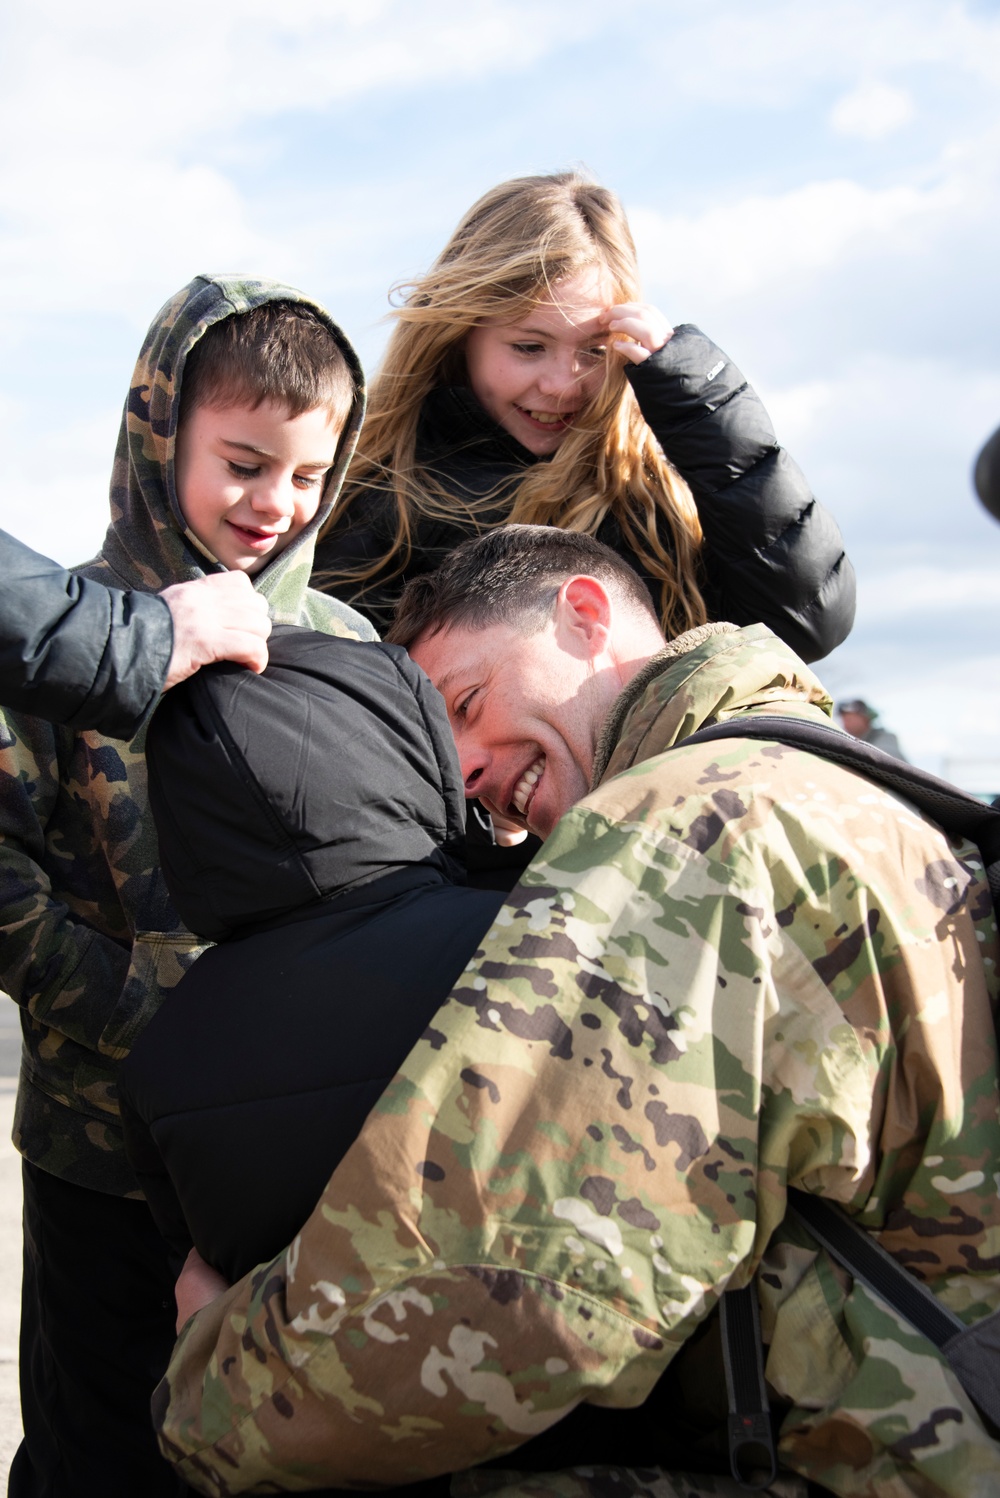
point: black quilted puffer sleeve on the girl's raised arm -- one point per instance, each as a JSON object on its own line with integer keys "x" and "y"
{"x": 773, "y": 555}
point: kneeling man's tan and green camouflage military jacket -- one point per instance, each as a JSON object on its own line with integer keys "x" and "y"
{"x": 733, "y": 968}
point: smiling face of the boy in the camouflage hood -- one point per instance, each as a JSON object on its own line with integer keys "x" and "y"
{"x": 248, "y": 482}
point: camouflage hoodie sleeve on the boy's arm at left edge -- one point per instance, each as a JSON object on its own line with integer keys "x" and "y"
{"x": 47, "y": 953}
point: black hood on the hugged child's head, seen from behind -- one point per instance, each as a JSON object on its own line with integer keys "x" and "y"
{"x": 332, "y": 769}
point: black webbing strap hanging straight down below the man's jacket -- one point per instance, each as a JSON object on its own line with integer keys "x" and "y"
{"x": 752, "y": 1457}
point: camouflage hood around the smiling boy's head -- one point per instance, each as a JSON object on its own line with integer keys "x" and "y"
{"x": 147, "y": 545}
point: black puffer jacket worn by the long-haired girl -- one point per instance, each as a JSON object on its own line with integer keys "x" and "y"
{"x": 772, "y": 555}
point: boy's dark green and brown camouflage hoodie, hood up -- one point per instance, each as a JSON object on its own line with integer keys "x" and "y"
{"x": 89, "y": 943}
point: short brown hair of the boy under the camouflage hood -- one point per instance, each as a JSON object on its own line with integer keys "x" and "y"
{"x": 281, "y": 351}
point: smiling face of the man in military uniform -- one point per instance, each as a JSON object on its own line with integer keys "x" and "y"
{"x": 526, "y": 714}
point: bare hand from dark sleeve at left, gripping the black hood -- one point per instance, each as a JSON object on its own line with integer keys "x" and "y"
{"x": 219, "y": 618}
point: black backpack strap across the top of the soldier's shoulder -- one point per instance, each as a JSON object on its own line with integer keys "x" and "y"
{"x": 957, "y": 813}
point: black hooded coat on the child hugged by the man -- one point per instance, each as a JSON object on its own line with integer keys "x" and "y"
{"x": 308, "y": 823}
